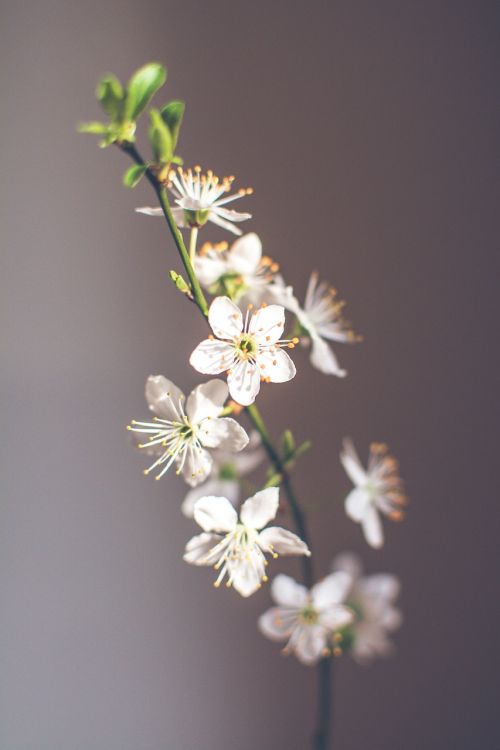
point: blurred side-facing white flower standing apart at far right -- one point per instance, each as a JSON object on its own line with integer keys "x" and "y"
{"x": 378, "y": 489}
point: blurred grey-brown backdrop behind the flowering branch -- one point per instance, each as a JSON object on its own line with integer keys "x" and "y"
{"x": 369, "y": 133}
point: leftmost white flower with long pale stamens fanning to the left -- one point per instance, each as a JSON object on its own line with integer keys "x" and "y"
{"x": 186, "y": 436}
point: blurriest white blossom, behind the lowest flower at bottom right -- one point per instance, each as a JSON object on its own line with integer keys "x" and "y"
{"x": 372, "y": 599}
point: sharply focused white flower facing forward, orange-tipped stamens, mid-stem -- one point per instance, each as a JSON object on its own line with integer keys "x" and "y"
{"x": 248, "y": 350}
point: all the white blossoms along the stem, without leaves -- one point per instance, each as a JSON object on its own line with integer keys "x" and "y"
{"x": 212, "y": 451}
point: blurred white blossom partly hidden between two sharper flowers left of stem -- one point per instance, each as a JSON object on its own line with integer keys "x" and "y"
{"x": 227, "y": 470}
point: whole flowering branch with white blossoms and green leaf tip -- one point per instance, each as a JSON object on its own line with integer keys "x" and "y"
{"x": 200, "y": 435}
